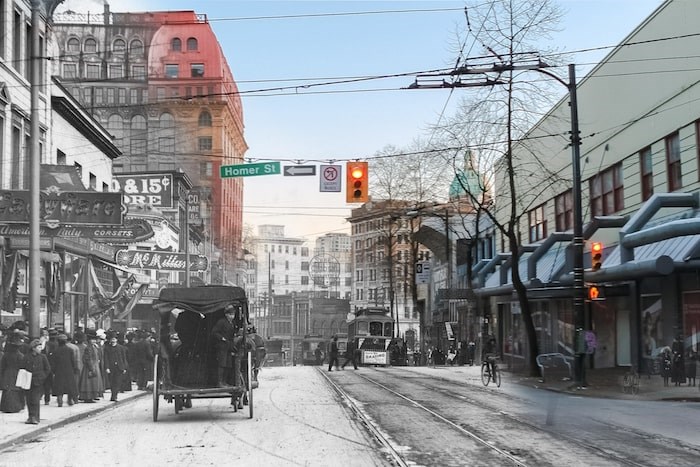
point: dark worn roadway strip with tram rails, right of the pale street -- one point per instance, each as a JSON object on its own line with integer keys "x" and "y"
{"x": 427, "y": 420}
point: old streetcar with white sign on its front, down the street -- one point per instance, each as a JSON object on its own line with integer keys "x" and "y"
{"x": 371, "y": 331}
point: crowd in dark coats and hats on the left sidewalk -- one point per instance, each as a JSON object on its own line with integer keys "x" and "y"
{"x": 80, "y": 367}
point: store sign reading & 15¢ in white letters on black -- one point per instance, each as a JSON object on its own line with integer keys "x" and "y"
{"x": 148, "y": 189}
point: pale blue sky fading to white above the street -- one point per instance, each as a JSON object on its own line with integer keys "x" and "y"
{"x": 273, "y": 44}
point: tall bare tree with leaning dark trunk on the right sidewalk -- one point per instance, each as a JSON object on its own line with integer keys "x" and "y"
{"x": 495, "y": 122}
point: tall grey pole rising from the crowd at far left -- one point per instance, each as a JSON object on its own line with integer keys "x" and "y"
{"x": 41, "y": 9}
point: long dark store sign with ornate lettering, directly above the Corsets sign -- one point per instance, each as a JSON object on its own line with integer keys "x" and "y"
{"x": 62, "y": 207}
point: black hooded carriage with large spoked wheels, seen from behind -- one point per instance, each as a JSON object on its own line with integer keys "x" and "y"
{"x": 191, "y": 366}
